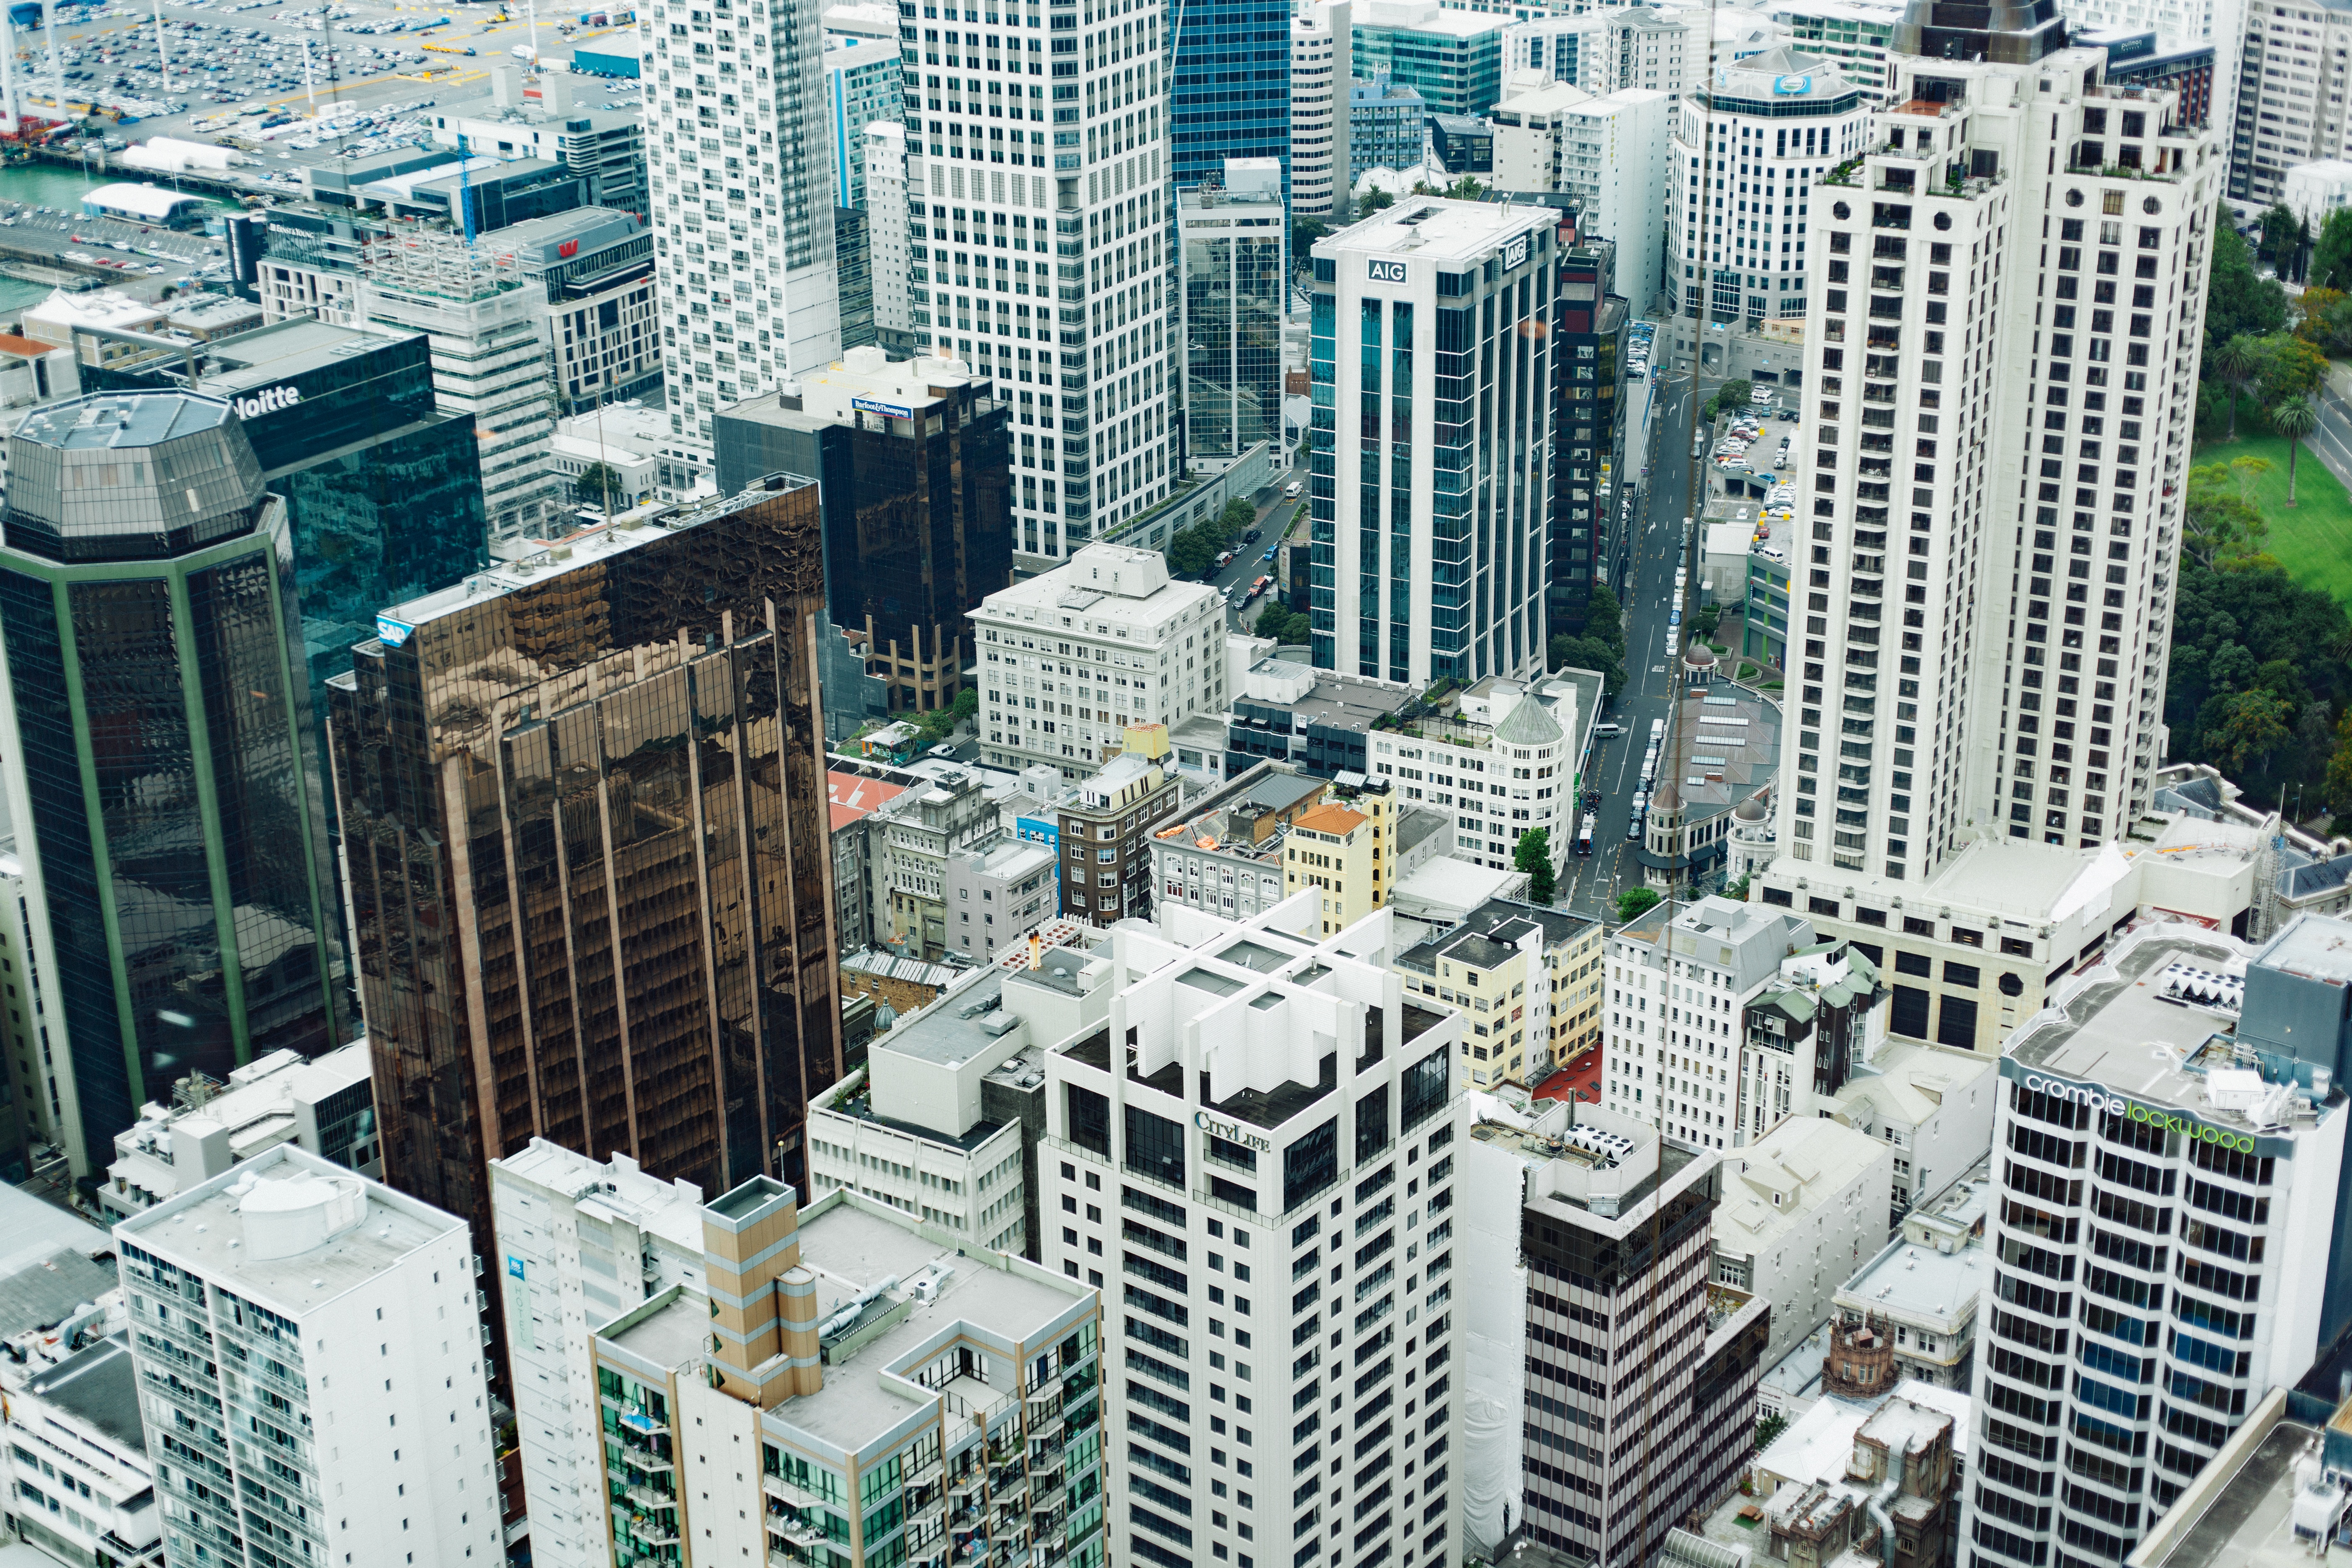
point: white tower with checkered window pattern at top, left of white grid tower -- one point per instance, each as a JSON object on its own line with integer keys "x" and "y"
{"x": 740, "y": 161}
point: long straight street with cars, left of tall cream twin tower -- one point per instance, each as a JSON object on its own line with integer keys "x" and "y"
{"x": 1591, "y": 887}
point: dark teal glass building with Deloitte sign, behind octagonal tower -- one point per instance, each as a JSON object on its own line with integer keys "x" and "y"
{"x": 385, "y": 492}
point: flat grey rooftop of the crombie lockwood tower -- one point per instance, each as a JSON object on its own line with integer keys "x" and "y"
{"x": 2125, "y": 1028}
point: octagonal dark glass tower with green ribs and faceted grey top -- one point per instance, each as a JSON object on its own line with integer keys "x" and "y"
{"x": 175, "y": 847}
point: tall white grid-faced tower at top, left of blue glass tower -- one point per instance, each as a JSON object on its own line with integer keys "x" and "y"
{"x": 1053, "y": 274}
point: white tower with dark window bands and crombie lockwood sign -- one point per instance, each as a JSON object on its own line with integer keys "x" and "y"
{"x": 2167, "y": 1160}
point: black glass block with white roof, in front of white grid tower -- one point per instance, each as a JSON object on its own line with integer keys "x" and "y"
{"x": 914, "y": 460}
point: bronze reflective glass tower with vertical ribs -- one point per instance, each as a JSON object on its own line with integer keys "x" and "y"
{"x": 587, "y": 831}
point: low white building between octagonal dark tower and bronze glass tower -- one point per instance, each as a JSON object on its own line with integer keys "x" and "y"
{"x": 323, "y": 1106}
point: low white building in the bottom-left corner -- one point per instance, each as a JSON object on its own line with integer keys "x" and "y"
{"x": 81, "y": 1485}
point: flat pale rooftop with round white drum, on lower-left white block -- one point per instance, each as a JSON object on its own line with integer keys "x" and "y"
{"x": 236, "y": 1226}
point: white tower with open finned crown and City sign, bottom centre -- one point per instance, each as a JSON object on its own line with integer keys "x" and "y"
{"x": 1252, "y": 1162}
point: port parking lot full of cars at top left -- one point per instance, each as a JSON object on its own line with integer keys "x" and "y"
{"x": 250, "y": 74}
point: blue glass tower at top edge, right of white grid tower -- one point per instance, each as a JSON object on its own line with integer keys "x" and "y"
{"x": 1231, "y": 91}
